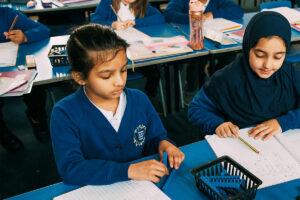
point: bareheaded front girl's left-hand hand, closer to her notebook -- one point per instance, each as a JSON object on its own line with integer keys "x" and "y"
{"x": 151, "y": 170}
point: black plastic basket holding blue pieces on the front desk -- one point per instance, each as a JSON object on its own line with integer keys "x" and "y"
{"x": 232, "y": 168}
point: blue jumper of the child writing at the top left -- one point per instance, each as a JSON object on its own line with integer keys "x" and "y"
{"x": 34, "y": 31}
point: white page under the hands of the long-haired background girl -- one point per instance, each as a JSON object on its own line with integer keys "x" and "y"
{"x": 131, "y": 35}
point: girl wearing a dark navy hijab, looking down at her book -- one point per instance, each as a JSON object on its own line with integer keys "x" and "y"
{"x": 258, "y": 89}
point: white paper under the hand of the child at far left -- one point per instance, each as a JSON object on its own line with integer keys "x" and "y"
{"x": 8, "y": 54}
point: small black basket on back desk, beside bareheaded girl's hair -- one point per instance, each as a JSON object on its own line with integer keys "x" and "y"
{"x": 58, "y": 55}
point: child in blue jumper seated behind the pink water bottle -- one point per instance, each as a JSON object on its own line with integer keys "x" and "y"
{"x": 177, "y": 11}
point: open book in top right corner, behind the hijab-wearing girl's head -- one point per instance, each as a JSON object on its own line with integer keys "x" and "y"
{"x": 292, "y": 15}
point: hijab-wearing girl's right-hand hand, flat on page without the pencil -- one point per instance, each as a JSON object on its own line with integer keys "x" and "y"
{"x": 265, "y": 130}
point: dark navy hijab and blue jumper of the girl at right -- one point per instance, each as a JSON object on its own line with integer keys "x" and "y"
{"x": 237, "y": 94}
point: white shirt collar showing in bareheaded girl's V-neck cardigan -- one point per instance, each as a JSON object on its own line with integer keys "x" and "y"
{"x": 114, "y": 120}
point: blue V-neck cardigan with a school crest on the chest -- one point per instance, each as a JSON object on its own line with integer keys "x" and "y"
{"x": 88, "y": 150}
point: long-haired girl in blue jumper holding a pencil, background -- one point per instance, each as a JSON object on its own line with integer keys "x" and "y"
{"x": 132, "y": 13}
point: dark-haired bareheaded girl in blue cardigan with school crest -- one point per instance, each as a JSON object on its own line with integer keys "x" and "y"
{"x": 102, "y": 127}
